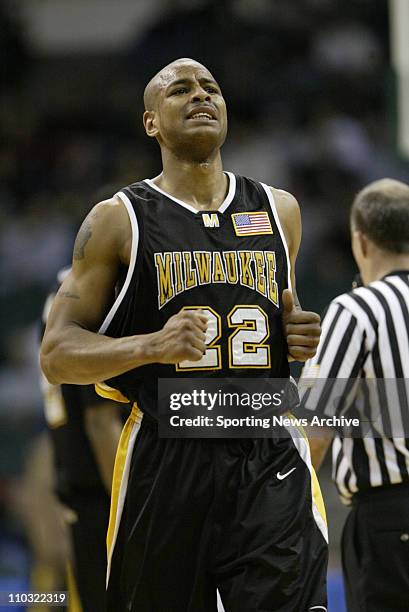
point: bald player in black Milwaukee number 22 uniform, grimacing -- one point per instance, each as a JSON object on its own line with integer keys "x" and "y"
{"x": 207, "y": 261}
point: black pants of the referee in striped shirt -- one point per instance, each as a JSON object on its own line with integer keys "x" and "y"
{"x": 375, "y": 551}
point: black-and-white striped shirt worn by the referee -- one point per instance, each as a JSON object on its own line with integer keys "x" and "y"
{"x": 365, "y": 345}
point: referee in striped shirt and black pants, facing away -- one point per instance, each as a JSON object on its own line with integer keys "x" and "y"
{"x": 364, "y": 351}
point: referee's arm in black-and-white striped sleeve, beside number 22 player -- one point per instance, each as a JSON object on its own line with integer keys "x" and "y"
{"x": 340, "y": 354}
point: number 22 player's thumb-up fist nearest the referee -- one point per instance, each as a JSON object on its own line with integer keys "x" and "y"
{"x": 301, "y": 328}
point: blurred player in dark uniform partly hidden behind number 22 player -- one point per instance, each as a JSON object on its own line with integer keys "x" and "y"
{"x": 84, "y": 431}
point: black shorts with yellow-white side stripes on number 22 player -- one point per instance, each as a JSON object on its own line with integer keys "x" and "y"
{"x": 194, "y": 522}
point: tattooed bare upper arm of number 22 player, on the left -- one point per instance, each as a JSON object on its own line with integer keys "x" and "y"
{"x": 100, "y": 251}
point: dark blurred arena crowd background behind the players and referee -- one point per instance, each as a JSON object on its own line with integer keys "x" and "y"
{"x": 312, "y": 92}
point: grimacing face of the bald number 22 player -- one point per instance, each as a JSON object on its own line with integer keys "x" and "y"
{"x": 190, "y": 108}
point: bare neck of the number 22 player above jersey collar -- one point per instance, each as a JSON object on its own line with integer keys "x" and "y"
{"x": 201, "y": 184}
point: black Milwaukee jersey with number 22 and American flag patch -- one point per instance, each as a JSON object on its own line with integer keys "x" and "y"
{"x": 232, "y": 263}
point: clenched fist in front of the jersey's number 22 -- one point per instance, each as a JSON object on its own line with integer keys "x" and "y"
{"x": 182, "y": 337}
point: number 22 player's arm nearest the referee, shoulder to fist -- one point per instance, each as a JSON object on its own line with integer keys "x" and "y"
{"x": 302, "y": 328}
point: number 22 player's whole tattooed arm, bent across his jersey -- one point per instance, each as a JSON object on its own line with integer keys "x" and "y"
{"x": 72, "y": 351}
